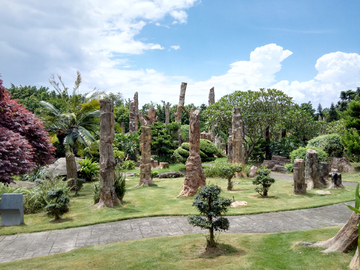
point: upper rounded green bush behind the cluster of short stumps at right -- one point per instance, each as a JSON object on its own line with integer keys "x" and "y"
{"x": 330, "y": 143}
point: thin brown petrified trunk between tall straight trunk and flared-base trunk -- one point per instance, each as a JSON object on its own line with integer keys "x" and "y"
{"x": 145, "y": 164}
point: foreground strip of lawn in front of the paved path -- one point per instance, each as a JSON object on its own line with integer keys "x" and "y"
{"x": 236, "y": 251}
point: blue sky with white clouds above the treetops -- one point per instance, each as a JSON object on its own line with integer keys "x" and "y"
{"x": 310, "y": 49}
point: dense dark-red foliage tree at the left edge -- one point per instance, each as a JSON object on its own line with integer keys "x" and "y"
{"x": 24, "y": 142}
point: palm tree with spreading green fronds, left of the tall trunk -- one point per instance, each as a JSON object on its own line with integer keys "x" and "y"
{"x": 75, "y": 124}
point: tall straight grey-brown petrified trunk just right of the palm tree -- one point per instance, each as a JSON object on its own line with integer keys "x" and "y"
{"x": 107, "y": 163}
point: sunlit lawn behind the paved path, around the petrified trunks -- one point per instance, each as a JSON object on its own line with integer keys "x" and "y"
{"x": 160, "y": 200}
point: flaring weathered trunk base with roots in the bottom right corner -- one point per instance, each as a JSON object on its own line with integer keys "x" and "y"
{"x": 345, "y": 239}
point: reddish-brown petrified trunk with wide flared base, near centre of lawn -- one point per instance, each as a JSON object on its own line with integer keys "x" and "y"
{"x": 195, "y": 176}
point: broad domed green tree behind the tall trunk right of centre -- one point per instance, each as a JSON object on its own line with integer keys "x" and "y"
{"x": 261, "y": 110}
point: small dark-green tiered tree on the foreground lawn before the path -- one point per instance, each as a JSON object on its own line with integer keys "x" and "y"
{"x": 211, "y": 206}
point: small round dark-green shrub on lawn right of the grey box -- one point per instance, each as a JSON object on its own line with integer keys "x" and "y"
{"x": 57, "y": 202}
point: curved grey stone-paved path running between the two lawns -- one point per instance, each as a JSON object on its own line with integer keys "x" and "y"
{"x": 21, "y": 246}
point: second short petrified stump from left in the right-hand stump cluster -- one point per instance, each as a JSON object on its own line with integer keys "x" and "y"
{"x": 311, "y": 170}
